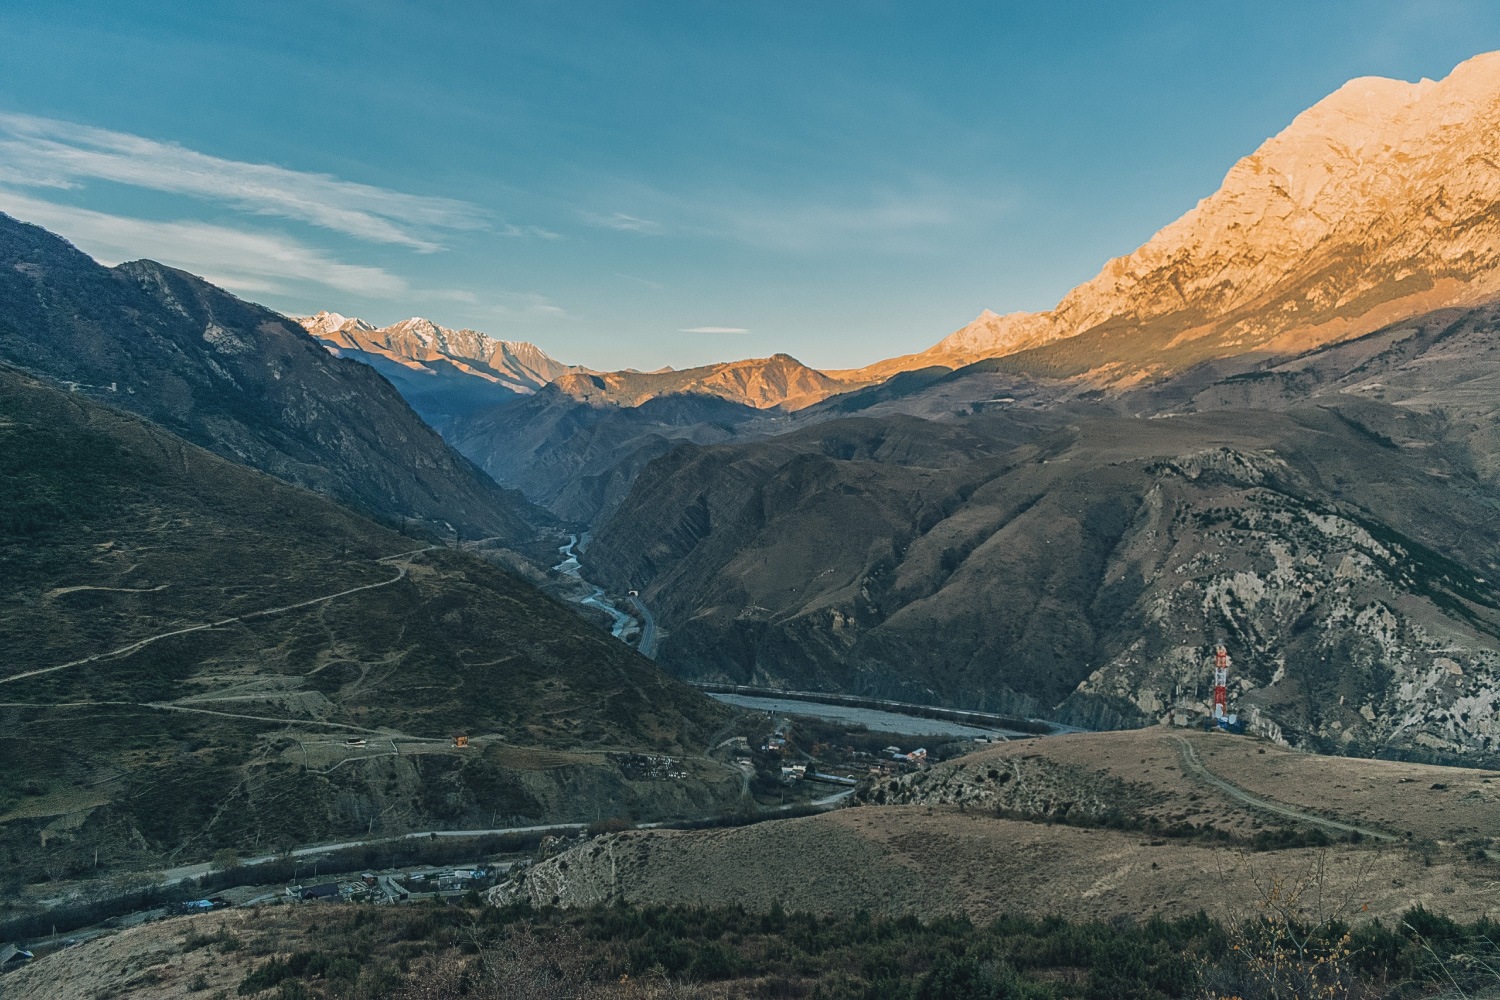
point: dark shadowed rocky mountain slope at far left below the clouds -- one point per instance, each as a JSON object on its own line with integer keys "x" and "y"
{"x": 238, "y": 380}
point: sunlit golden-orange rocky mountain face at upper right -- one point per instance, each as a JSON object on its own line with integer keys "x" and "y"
{"x": 1376, "y": 205}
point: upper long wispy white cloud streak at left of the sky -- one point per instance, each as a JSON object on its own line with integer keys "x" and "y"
{"x": 44, "y": 152}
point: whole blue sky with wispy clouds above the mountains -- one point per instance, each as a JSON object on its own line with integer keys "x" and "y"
{"x": 673, "y": 184}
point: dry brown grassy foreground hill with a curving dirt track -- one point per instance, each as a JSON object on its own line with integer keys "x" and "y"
{"x": 1010, "y": 831}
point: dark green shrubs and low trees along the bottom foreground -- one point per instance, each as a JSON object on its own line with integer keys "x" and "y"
{"x": 656, "y": 951}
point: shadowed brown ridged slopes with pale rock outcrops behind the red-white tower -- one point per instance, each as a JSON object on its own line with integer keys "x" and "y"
{"x": 1081, "y": 566}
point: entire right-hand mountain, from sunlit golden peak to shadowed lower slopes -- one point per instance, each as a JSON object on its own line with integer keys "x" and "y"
{"x": 1273, "y": 427}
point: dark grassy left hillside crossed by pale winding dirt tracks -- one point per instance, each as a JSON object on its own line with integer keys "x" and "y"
{"x": 137, "y": 731}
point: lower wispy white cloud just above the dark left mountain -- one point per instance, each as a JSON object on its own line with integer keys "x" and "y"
{"x": 242, "y": 262}
